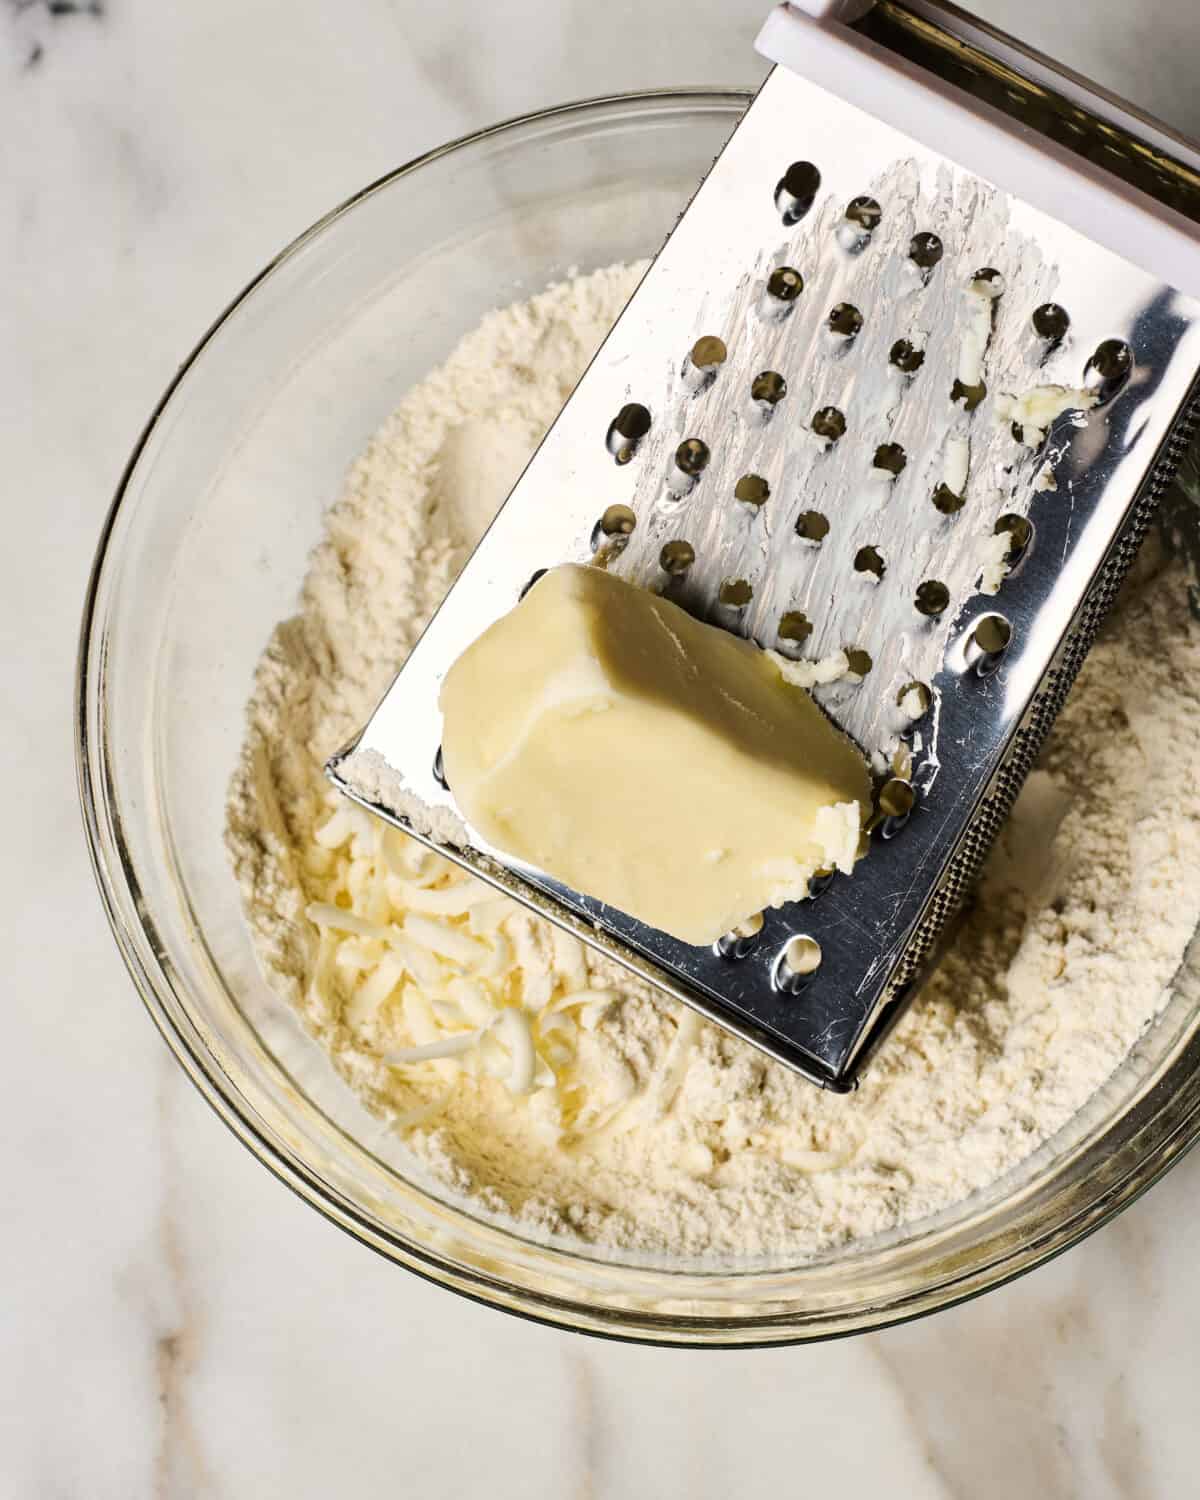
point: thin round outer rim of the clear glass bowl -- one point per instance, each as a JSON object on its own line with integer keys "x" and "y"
{"x": 115, "y": 872}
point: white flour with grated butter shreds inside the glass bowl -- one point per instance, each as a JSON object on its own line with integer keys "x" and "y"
{"x": 653, "y": 1130}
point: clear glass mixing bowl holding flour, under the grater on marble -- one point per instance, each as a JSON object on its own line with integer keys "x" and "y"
{"x": 202, "y": 556}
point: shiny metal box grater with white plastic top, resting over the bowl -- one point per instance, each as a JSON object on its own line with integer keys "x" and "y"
{"x": 773, "y": 436}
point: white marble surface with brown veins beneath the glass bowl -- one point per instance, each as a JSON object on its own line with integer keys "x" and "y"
{"x": 176, "y": 1324}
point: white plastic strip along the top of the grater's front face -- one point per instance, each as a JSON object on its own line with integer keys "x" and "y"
{"x": 814, "y": 40}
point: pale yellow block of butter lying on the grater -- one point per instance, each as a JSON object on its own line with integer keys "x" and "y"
{"x": 655, "y": 763}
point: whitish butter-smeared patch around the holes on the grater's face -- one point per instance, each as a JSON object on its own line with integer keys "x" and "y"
{"x": 856, "y": 385}
